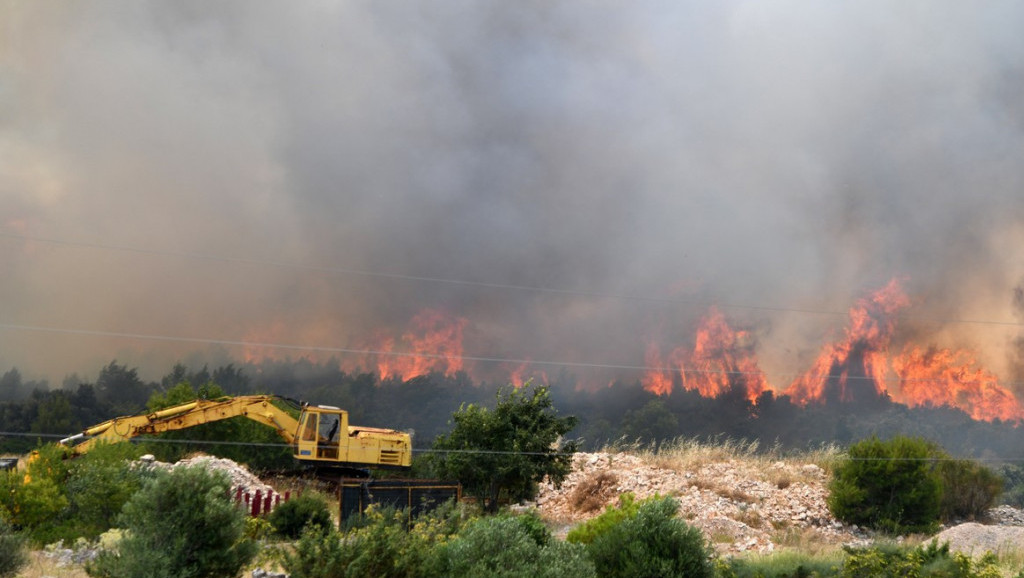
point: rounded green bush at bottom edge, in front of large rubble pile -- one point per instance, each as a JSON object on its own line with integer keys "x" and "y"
{"x": 654, "y": 544}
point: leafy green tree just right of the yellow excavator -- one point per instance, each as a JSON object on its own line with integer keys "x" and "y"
{"x": 508, "y": 449}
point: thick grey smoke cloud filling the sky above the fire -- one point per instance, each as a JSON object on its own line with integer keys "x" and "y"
{"x": 777, "y": 155}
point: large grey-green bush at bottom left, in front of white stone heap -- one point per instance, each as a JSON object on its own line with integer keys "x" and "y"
{"x": 182, "y": 524}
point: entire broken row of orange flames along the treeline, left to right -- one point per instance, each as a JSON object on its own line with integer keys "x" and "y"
{"x": 860, "y": 365}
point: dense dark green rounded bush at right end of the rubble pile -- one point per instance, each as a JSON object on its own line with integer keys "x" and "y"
{"x": 888, "y": 486}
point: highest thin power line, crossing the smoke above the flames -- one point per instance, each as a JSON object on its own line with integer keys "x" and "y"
{"x": 462, "y": 282}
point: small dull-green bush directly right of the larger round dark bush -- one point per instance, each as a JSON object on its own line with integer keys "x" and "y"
{"x": 969, "y": 489}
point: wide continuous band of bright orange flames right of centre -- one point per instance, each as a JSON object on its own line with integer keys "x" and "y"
{"x": 855, "y": 367}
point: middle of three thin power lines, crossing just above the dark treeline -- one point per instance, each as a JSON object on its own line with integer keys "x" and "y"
{"x": 481, "y": 359}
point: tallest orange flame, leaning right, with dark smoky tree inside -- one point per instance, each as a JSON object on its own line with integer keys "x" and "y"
{"x": 859, "y": 362}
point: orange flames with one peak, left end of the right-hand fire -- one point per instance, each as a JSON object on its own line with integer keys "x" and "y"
{"x": 722, "y": 359}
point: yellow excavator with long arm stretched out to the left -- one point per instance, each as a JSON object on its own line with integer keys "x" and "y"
{"x": 321, "y": 437}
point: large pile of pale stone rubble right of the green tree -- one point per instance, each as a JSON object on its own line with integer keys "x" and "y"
{"x": 741, "y": 507}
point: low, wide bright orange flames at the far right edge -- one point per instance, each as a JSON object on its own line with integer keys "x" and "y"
{"x": 937, "y": 378}
